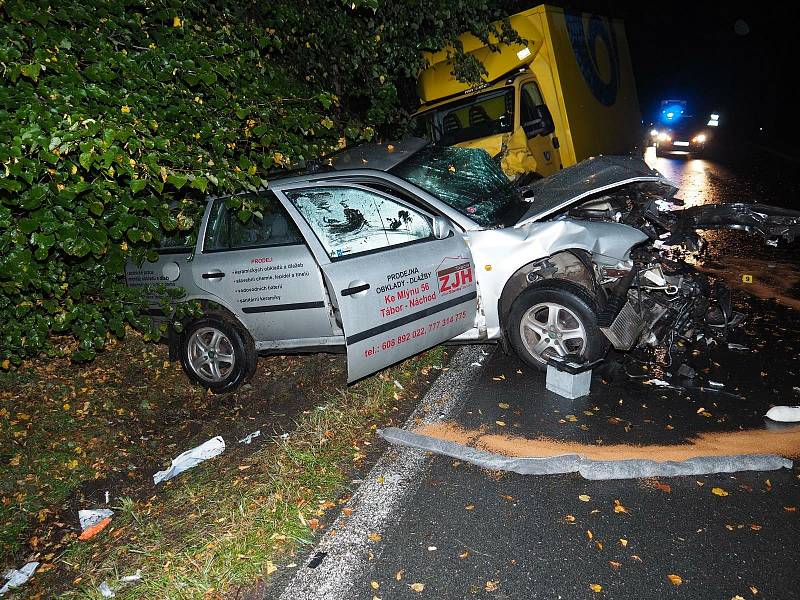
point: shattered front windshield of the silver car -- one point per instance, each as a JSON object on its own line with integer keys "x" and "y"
{"x": 466, "y": 179}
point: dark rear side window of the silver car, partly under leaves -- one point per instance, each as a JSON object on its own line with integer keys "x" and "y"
{"x": 269, "y": 226}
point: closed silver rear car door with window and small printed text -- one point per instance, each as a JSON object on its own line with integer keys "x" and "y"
{"x": 262, "y": 271}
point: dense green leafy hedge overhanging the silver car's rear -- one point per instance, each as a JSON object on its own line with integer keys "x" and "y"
{"x": 117, "y": 116}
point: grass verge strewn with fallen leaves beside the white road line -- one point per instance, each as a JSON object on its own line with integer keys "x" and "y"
{"x": 235, "y": 519}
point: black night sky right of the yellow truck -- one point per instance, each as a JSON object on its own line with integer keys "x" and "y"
{"x": 740, "y": 59}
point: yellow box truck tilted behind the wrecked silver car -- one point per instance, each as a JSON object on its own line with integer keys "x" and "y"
{"x": 567, "y": 94}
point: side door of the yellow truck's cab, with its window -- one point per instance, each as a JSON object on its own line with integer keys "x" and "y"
{"x": 537, "y": 123}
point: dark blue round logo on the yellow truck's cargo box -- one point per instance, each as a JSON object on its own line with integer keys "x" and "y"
{"x": 584, "y": 35}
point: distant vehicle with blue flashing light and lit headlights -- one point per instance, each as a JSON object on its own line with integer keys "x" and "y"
{"x": 680, "y": 132}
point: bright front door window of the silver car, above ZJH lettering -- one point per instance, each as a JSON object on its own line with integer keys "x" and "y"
{"x": 350, "y": 221}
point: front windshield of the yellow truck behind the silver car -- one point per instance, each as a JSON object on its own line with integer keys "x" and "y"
{"x": 480, "y": 116}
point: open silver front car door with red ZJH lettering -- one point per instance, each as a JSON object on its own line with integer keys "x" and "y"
{"x": 399, "y": 288}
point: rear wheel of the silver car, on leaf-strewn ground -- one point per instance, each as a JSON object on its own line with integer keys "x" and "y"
{"x": 217, "y": 353}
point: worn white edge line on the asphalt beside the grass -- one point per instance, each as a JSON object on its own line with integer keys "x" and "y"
{"x": 380, "y": 501}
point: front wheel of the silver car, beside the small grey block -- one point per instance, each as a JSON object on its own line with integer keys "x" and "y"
{"x": 572, "y": 331}
